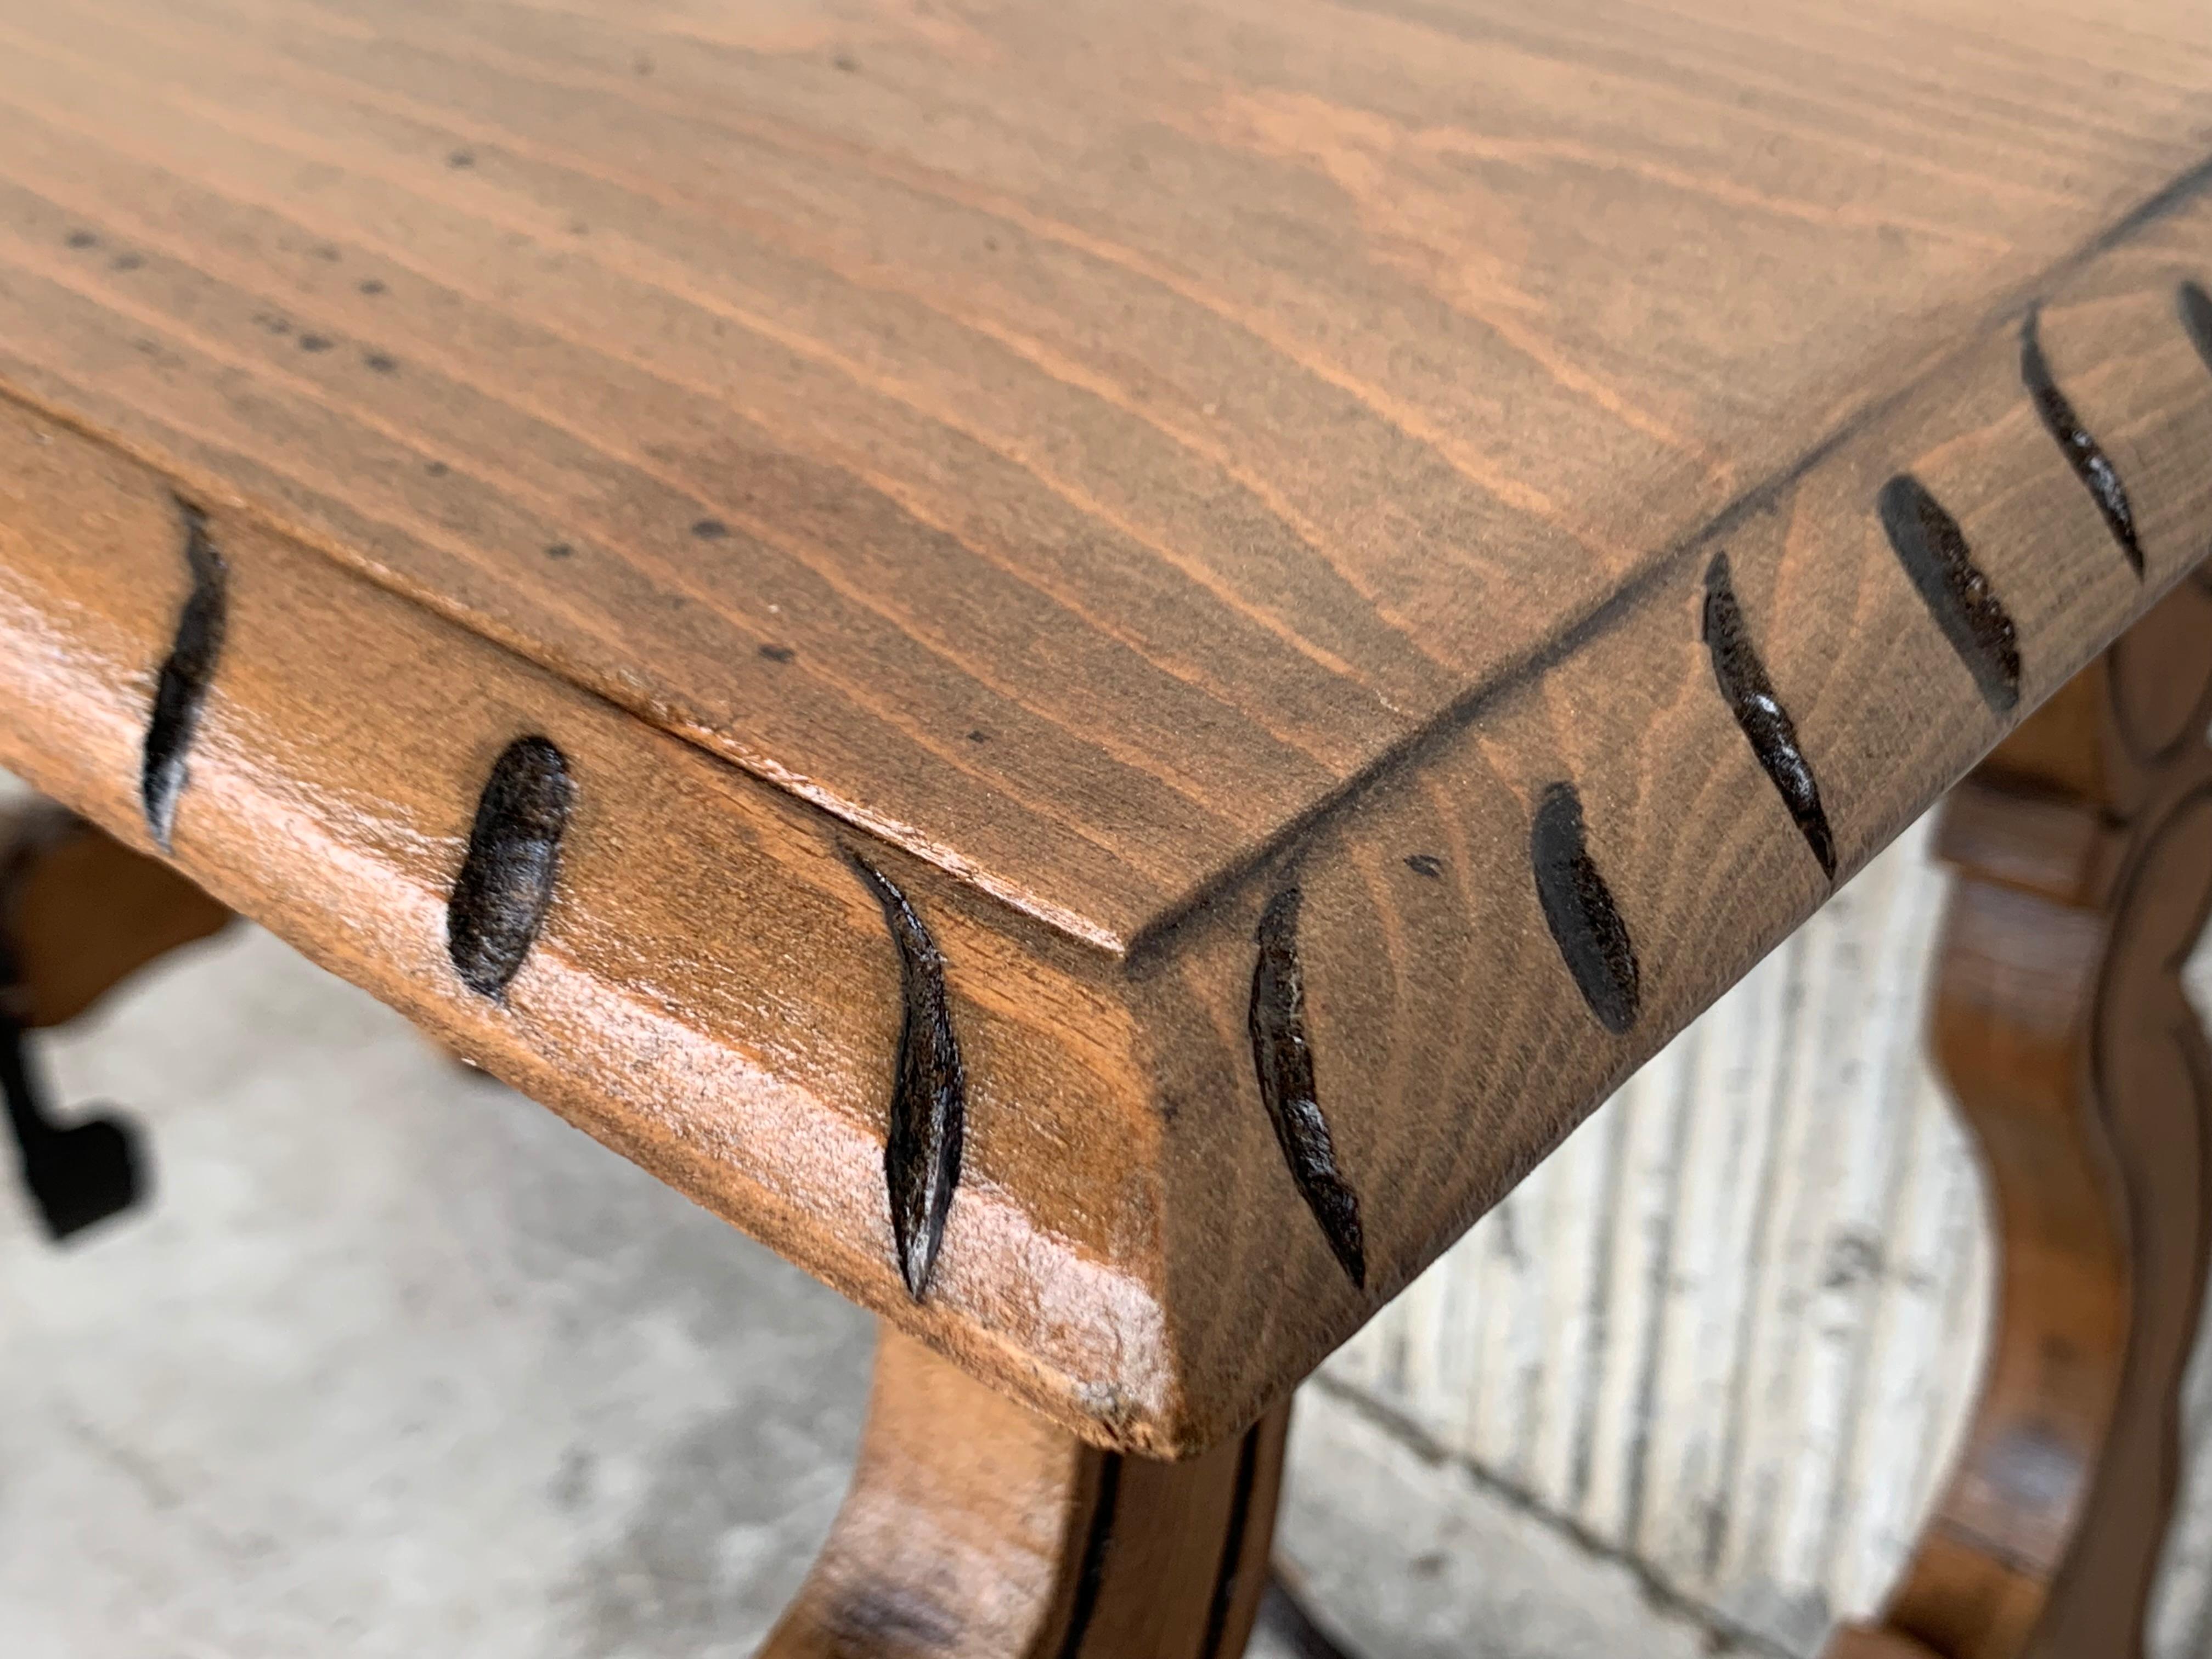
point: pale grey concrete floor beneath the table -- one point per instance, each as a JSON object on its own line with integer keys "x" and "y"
{"x": 397, "y": 1364}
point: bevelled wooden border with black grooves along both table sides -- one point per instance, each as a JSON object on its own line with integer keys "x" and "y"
{"x": 682, "y": 961}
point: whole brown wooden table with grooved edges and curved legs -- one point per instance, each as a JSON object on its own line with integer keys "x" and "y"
{"x": 1098, "y": 667}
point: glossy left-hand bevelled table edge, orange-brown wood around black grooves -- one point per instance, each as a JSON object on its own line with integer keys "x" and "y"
{"x": 711, "y": 990}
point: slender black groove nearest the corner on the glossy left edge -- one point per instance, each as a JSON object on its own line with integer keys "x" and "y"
{"x": 921, "y": 1156}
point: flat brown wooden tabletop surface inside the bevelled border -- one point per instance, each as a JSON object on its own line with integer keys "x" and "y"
{"x": 939, "y": 437}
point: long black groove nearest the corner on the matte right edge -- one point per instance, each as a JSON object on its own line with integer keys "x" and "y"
{"x": 1286, "y": 1085}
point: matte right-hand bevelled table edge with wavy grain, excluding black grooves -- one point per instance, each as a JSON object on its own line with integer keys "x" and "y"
{"x": 1443, "y": 1012}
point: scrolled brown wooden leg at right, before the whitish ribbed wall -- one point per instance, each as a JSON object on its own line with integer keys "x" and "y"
{"x": 2085, "y": 855}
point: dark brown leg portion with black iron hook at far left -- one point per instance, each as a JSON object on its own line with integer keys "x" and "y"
{"x": 79, "y": 912}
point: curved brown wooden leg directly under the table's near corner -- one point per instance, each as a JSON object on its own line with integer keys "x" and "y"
{"x": 983, "y": 1532}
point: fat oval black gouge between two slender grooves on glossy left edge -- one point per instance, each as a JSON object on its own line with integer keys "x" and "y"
{"x": 505, "y": 881}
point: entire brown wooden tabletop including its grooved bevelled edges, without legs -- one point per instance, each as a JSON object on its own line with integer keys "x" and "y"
{"x": 1114, "y": 468}
